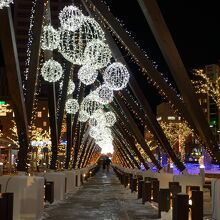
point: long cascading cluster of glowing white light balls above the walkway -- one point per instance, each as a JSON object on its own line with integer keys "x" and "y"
{"x": 81, "y": 41}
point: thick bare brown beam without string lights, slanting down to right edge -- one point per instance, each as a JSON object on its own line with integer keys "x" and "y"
{"x": 167, "y": 46}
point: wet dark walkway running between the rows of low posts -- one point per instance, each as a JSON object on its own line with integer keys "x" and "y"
{"x": 101, "y": 198}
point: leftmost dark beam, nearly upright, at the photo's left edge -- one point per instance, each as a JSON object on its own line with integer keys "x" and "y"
{"x": 9, "y": 48}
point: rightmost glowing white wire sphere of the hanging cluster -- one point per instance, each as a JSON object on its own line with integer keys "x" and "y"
{"x": 116, "y": 76}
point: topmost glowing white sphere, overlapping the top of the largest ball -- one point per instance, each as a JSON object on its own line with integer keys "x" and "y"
{"x": 71, "y": 18}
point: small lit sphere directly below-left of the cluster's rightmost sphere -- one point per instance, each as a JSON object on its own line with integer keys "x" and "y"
{"x": 105, "y": 94}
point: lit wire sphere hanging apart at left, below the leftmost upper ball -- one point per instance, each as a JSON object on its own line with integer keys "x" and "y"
{"x": 51, "y": 71}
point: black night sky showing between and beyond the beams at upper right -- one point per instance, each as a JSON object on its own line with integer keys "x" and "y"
{"x": 194, "y": 26}
